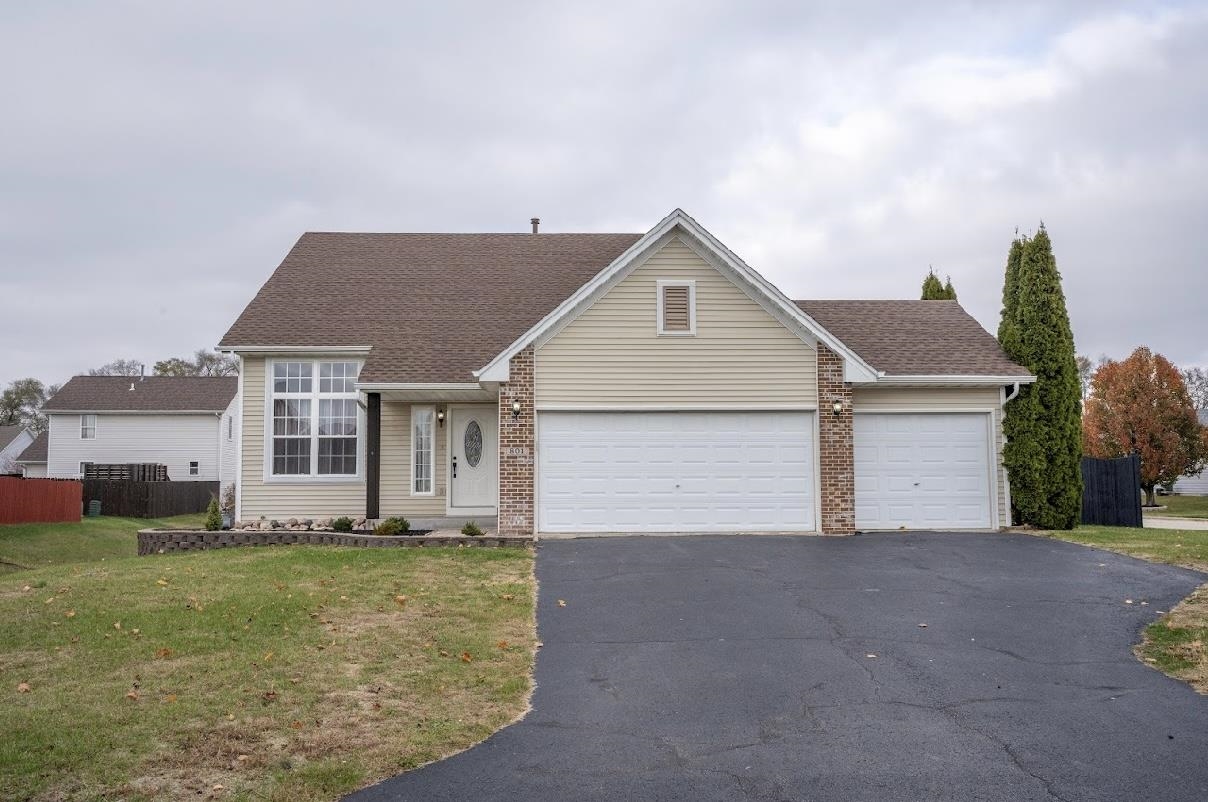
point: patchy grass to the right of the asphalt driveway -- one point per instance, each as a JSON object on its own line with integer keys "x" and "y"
{"x": 1176, "y": 642}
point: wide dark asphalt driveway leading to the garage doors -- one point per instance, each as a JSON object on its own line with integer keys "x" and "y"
{"x": 797, "y": 669}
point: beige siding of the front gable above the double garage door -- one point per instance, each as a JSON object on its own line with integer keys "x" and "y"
{"x": 613, "y": 357}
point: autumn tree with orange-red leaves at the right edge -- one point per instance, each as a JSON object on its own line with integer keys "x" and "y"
{"x": 1142, "y": 405}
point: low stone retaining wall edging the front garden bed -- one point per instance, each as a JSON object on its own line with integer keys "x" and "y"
{"x": 159, "y": 542}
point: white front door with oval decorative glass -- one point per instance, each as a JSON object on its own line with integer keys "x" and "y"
{"x": 474, "y": 458}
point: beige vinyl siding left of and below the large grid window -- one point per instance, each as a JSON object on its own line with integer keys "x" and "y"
{"x": 284, "y": 499}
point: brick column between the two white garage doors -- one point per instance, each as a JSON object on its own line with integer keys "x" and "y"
{"x": 835, "y": 446}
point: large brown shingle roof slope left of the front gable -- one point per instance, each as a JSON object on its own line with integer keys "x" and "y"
{"x": 434, "y": 307}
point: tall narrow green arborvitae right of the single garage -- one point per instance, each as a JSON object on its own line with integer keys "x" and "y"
{"x": 1043, "y": 423}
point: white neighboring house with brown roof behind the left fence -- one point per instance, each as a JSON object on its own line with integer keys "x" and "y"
{"x": 188, "y": 423}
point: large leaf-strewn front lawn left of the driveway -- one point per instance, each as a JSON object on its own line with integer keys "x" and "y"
{"x": 271, "y": 673}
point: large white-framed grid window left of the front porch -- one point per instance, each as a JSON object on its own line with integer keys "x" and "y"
{"x": 315, "y": 422}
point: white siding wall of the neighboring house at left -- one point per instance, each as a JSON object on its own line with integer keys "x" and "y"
{"x": 172, "y": 440}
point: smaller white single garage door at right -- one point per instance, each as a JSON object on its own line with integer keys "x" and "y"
{"x": 922, "y": 472}
